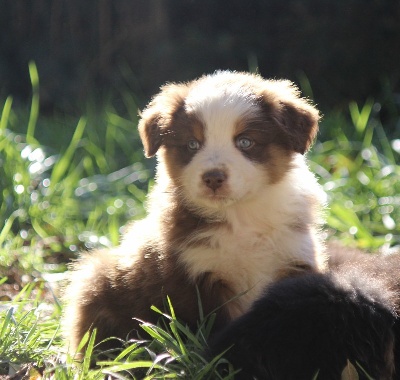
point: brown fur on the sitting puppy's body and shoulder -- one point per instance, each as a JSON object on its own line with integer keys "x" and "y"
{"x": 116, "y": 292}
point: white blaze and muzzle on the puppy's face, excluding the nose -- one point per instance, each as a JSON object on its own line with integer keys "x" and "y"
{"x": 221, "y": 103}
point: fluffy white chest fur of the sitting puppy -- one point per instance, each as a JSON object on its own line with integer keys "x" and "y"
{"x": 257, "y": 241}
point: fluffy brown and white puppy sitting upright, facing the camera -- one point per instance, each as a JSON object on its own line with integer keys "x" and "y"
{"x": 234, "y": 208}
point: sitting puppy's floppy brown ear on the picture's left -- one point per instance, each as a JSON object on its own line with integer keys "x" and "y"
{"x": 158, "y": 116}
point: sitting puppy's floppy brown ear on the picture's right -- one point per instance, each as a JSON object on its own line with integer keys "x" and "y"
{"x": 296, "y": 116}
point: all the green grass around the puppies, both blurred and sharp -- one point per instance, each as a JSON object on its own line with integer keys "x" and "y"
{"x": 68, "y": 184}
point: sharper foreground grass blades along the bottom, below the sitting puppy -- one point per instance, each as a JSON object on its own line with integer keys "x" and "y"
{"x": 30, "y": 340}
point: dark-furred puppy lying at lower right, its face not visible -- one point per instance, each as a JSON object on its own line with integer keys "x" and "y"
{"x": 317, "y": 324}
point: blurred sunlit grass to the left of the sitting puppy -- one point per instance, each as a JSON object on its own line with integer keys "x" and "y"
{"x": 59, "y": 202}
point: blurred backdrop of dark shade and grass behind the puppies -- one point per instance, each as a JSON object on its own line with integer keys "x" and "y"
{"x": 75, "y": 73}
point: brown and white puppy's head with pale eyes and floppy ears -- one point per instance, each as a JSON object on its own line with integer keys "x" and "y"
{"x": 227, "y": 136}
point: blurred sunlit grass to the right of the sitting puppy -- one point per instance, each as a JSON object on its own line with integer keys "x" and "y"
{"x": 359, "y": 170}
